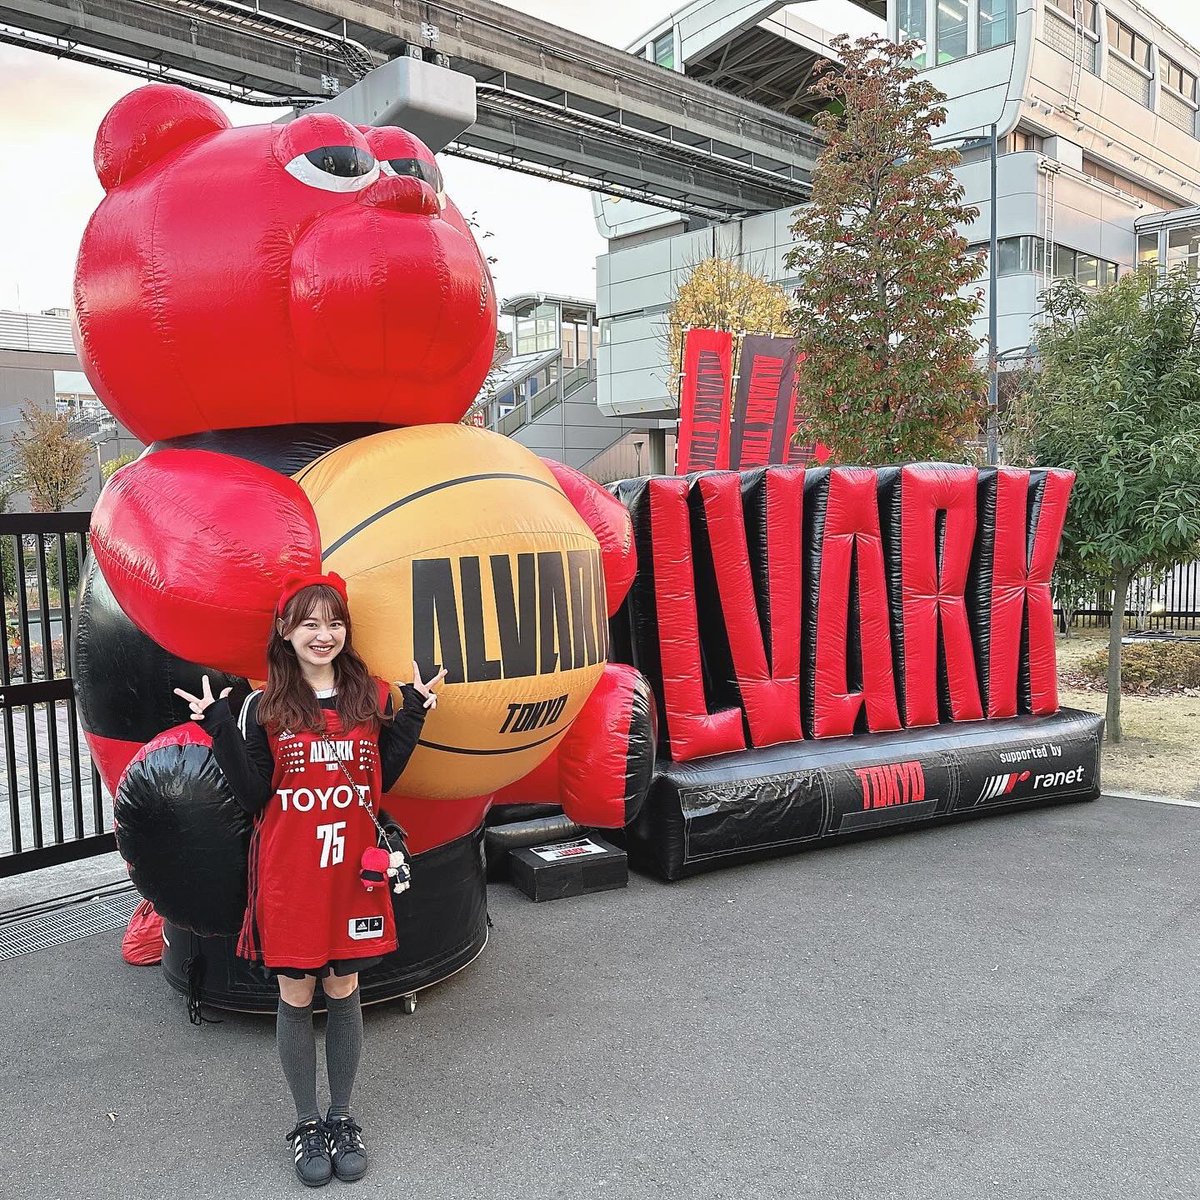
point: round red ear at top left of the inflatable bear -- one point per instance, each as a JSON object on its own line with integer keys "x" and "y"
{"x": 147, "y": 125}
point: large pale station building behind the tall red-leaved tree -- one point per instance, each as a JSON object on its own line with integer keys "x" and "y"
{"x": 1095, "y": 107}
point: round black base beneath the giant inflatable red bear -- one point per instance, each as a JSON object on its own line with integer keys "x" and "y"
{"x": 441, "y": 923}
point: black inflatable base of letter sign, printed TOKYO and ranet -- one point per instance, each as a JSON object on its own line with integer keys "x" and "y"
{"x": 757, "y": 805}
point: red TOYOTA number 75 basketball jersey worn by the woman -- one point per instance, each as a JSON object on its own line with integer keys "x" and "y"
{"x": 307, "y": 904}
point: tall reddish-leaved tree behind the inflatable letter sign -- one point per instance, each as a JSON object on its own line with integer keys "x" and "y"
{"x": 886, "y": 297}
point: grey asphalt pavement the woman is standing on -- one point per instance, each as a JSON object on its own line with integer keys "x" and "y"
{"x": 1003, "y": 1009}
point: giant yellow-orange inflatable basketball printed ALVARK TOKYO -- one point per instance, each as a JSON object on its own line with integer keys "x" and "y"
{"x": 461, "y": 551}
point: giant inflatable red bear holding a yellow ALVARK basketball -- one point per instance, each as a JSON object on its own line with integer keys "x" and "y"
{"x": 295, "y": 316}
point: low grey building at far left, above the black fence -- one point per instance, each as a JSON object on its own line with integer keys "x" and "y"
{"x": 39, "y": 367}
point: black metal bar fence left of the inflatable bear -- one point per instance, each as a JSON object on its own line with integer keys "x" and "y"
{"x": 58, "y": 809}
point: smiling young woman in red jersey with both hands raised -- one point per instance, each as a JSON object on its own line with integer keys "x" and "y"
{"x": 310, "y": 758}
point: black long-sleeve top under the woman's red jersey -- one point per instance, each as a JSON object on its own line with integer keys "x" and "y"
{"x": 244, "y": 753}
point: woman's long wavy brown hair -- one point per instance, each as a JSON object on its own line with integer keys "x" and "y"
{"x": 289, "y": 700}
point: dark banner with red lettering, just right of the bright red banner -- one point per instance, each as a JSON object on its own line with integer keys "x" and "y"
{"x": 765, "y": 403}
